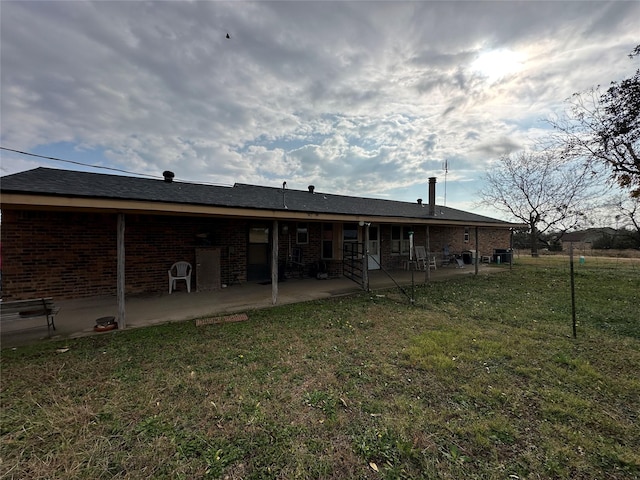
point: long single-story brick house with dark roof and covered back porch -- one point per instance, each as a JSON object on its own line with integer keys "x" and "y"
{"x": 71, "y": 234}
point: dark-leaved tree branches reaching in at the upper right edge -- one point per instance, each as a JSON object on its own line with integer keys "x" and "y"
{"x": 605, "y": 128}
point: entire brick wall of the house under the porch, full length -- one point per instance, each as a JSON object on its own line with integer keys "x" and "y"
{"x": 72, "y": 255}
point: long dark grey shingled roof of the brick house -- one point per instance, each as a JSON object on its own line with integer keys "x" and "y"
{"x": 75, "y": 184}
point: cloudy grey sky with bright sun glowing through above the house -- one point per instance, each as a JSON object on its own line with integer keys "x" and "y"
{"x": 356, "y": 98}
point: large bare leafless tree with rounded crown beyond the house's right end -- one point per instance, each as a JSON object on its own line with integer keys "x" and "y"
{"x": 541, "y": 189}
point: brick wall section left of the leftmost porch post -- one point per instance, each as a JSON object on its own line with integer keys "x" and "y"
{"x": 59, "y": 255}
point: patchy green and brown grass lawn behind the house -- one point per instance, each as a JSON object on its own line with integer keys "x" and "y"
{"x": 480, "y": 378}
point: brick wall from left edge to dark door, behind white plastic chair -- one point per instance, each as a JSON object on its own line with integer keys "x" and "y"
{"x": 72, "y": 255}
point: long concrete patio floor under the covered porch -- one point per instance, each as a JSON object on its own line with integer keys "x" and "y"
{"x": 78, "y": 317}
